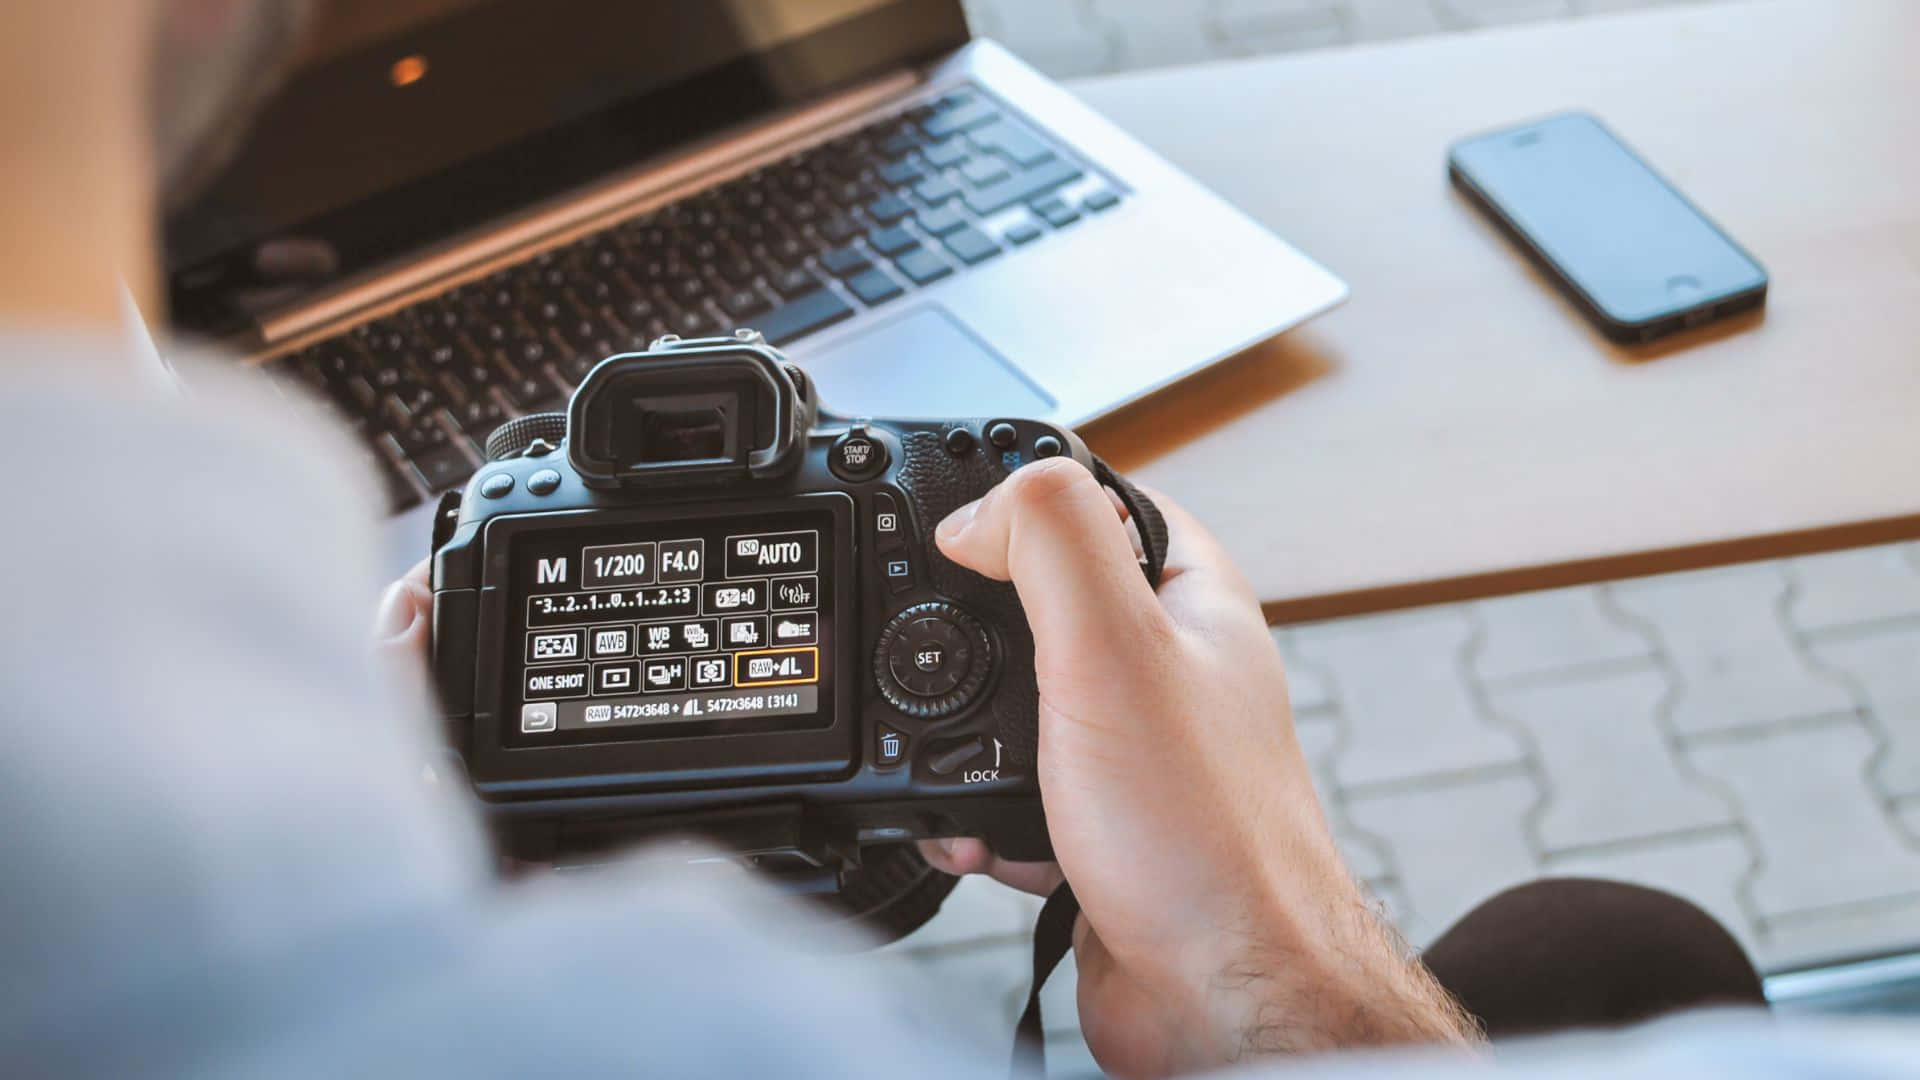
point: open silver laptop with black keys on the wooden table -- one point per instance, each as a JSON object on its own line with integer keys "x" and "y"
{"x": 450, "y": 210}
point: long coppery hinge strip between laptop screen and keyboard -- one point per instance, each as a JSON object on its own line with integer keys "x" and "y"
{"x": 577, "y": 214}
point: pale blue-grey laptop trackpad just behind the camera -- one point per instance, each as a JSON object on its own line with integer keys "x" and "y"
{"x": 923, "y": 364}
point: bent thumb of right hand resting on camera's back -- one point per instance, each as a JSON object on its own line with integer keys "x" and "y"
{"x": 1055, "y": 535}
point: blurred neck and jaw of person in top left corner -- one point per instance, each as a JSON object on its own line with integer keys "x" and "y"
{"x": 108, "y": 112}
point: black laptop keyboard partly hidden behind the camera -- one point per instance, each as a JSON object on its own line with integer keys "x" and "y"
{"x": 852, "y": 224}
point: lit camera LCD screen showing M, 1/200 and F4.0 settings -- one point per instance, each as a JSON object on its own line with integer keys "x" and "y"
{"x": 671, "y": 629}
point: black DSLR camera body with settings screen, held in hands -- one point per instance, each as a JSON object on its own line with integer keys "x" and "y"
{"x": 702, "y": 604}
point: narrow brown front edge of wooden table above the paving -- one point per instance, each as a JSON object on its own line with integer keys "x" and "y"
{"x": 1593, "y": 572}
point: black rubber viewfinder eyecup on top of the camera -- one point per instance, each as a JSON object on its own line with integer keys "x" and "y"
{"x": 704, "y": 412}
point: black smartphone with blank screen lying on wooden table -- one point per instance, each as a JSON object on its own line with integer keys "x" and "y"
{"x": 1629, "y": 249}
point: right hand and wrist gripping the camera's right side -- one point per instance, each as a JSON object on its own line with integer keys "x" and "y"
{"x": 1218, "y": 918}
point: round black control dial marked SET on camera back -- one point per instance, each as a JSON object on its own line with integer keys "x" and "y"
{"x": 932, "y": 660}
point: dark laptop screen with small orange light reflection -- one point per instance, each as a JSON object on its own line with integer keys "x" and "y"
{"x": 404, "y": 124}
